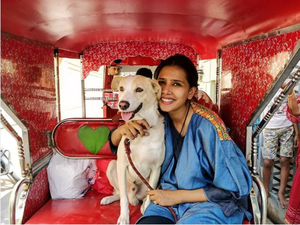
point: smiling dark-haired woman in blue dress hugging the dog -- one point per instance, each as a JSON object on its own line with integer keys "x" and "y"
{"x": 194, "y": 136}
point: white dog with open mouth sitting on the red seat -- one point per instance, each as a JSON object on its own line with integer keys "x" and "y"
{"x": 138, "y": 99}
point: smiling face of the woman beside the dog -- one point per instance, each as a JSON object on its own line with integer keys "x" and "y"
{"x": 175, "y": 89}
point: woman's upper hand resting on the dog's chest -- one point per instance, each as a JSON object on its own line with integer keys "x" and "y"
{"x": 134, "y": 128}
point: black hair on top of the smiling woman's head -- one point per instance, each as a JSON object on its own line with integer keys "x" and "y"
{"x": 185, "y": 64}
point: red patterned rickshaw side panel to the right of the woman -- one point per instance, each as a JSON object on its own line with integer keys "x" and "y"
{"x": 248, "y": 70}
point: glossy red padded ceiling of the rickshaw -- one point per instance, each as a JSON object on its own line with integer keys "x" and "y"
{"x": 203, "y": 24}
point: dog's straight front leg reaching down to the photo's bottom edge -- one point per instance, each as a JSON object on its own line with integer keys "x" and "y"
{"x": 124, "y": 214}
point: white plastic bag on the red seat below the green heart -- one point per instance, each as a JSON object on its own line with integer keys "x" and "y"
{"x": 70, "y": 178}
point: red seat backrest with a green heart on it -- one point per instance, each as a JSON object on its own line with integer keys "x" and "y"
{"x": 84, "y": 137}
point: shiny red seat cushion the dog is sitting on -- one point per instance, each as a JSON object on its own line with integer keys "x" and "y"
{"x": 86, "y": 210}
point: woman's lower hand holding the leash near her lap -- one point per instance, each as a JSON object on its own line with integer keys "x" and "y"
{"x": 164, "y": 197}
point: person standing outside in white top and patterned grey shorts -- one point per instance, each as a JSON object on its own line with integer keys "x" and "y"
{"x": 281, "y": 135}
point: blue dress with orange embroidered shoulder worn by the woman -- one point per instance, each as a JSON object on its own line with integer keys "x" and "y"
{"x": 209, "y": 159}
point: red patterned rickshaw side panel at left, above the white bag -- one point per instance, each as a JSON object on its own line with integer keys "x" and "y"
{"x": 27, "y": 82}
